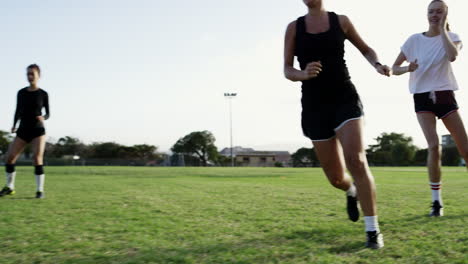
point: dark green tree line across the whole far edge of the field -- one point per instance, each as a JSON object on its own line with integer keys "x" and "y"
{"x": 199, "y": 149}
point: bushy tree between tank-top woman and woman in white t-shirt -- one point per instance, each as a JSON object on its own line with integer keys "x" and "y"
{"x": 392, "y": 149}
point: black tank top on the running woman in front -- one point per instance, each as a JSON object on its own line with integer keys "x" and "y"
{"x": 326, "y": 47}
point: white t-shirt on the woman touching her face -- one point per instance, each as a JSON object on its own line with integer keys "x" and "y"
{"x": 435, "y": 71}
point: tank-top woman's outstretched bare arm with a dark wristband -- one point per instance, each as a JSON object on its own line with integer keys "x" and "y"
{"x": 354, "y": 37}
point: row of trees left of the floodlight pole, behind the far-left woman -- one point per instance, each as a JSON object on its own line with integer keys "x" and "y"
{"x": 197, "y": 148}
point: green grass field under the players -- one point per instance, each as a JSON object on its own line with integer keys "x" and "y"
{"x": 224, "y": 215}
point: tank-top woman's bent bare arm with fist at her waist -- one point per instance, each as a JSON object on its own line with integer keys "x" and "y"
{"x": 291, "y": 73}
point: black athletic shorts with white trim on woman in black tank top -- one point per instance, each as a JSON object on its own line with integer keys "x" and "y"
{"x": 320, "y": 121}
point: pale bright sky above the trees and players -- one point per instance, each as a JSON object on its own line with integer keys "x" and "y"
{"x": 152, "y": 71}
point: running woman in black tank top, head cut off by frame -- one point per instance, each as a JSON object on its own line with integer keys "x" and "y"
{"x": 331, "y": 108}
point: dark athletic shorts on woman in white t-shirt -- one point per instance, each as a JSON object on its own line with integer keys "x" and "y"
{"x": 440, "y": 103}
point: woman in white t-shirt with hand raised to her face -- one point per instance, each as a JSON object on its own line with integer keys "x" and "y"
{"x": 432, "y": 83}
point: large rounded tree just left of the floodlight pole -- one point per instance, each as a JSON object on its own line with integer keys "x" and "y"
{"x": 199, "y": 144}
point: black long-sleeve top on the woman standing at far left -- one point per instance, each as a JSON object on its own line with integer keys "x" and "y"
{"x": 29, "y": 106}
